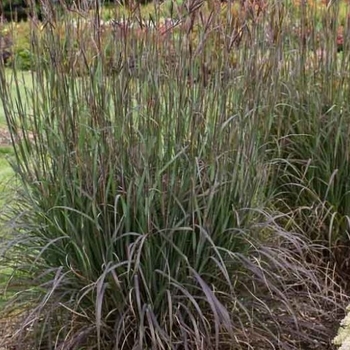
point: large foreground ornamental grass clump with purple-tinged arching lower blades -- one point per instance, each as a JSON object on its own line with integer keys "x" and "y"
{"x": 148, "y": 216}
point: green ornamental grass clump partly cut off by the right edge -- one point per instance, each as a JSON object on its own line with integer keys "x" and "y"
{"x": 314, "y": 151}
